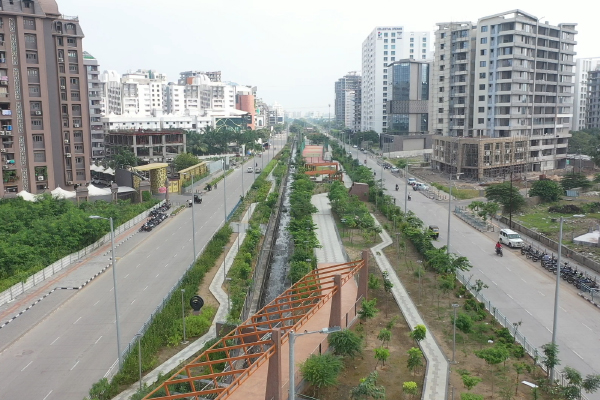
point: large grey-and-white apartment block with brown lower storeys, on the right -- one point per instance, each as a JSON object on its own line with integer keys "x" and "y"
{"x": 516, "y": 96}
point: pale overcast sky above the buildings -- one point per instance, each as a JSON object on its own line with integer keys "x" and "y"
{"x": 292, "y": 51}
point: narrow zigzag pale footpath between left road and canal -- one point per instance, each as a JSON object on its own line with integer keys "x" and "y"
{"x": 220, "y": 316}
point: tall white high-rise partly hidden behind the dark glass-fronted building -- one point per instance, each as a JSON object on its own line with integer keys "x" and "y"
{"x": 383, "y": 46}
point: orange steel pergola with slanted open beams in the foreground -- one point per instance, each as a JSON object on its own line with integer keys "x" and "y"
{"x": 221, "y": 369}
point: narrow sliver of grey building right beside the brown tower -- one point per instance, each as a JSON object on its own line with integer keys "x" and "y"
{"x": 95, "y": 103}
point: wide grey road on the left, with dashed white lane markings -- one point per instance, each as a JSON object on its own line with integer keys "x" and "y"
{"x": 68, "y": 341}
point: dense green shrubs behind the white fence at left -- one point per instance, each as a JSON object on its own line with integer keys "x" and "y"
{"x": 33, "y": 235}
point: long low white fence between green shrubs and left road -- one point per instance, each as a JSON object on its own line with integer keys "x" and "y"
{"x": 11, "y": 293}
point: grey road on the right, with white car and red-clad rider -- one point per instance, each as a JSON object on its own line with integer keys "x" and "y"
{"x": 522, "y": 290}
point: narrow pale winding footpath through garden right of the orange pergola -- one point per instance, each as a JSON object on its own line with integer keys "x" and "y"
{"x": 436, "y": 376}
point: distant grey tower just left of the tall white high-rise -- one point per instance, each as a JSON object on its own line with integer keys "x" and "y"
{"x": 347, "y": 106}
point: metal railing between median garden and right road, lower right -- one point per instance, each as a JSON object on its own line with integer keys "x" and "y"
{"x": 513, "y": 328}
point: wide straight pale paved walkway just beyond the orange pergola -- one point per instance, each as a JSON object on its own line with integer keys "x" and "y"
{"x": 332, "y": 250}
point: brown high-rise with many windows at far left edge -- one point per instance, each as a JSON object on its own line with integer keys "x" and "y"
{"x": 45, "y": 130}
